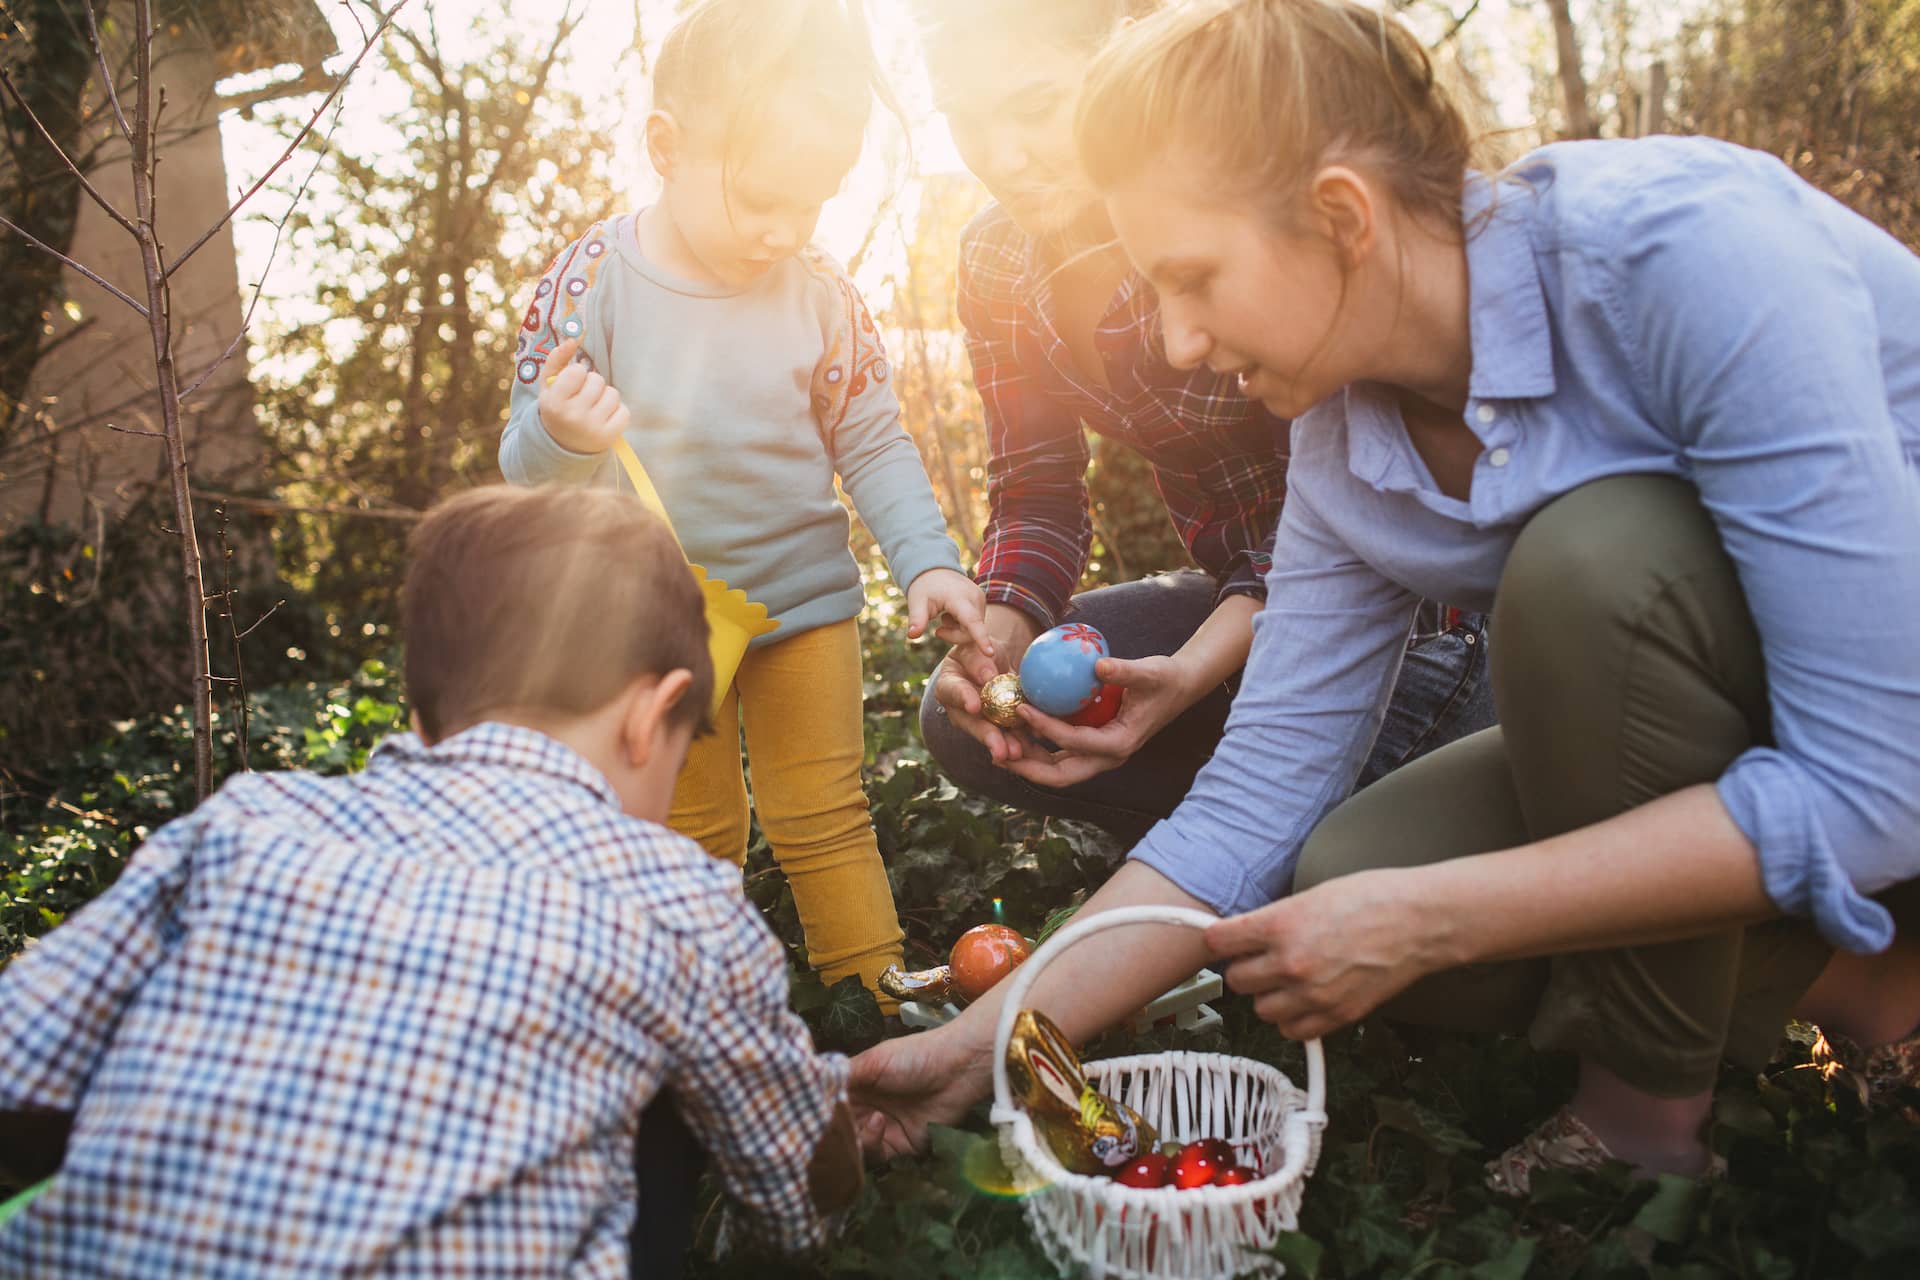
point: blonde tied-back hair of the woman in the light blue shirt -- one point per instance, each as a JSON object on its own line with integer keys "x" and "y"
{"x": 1272, "y": 91}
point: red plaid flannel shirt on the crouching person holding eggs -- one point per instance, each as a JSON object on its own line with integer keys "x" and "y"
{"x": 1218, "y": 458}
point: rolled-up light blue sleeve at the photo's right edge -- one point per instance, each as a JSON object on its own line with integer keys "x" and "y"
{"x": 1760, "y": 344}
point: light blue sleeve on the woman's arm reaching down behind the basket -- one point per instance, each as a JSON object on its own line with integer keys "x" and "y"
{"x": 1328, "y": 650}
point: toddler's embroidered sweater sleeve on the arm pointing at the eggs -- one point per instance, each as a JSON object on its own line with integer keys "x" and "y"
{"x": 873, "y": 454}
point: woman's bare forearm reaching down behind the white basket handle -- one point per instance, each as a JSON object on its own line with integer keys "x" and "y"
{"x": 1107, "y": 978}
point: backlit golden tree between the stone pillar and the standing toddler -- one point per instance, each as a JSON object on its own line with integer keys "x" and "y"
{"x": 387, "y": 383}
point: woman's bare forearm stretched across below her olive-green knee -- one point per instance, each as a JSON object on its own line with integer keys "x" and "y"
{"x": 1666, "y": 870}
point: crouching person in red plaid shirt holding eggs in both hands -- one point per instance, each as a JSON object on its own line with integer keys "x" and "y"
{"x": 1065, "y": 337}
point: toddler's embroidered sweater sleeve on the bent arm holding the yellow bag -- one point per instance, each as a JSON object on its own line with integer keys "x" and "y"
{"x": 564, "y": 306}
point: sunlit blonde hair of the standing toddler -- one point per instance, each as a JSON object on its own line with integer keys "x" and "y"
{"x": 740, "y": 60}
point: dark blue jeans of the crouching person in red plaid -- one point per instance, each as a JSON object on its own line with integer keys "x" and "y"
{"x": 1443, "y": 696}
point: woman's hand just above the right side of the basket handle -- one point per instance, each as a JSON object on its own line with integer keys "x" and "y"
{"x": 1335, "y": 953}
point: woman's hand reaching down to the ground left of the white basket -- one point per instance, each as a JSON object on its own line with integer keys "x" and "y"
{"x": 903, "y": 1085}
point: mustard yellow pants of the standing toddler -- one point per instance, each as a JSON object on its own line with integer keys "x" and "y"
{"x": 800, "y": 703}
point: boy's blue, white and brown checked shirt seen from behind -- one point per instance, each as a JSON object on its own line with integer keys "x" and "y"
{"x": 404, "y": 1024}
